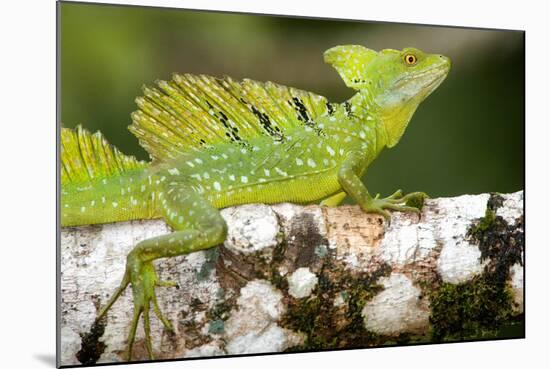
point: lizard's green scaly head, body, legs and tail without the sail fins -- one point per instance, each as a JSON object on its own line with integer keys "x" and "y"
{"x": 322, "y": 160}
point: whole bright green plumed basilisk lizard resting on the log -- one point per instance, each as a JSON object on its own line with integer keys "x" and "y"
{"x": 215, "y": 143}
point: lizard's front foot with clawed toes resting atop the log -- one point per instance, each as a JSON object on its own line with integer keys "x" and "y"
{"x": 411, "y": 202}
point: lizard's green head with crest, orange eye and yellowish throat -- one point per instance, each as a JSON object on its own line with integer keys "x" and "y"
{"x": 396, "y": 81}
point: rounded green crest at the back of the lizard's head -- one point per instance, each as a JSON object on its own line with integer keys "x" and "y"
{"x": 351, "y": 63}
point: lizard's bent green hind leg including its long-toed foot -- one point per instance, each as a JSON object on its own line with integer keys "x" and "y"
{"x": 197, "y": 225}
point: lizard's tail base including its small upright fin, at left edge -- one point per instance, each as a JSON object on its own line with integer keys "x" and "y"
{"x": 99, "y": 184}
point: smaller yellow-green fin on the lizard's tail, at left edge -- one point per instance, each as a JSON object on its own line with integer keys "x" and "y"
{"x": 86, "y": 156}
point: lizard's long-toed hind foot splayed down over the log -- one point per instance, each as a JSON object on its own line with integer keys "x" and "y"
{"x": 143, "y": 278}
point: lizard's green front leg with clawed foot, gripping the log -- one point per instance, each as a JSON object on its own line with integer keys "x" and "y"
{"x": 348, "y": 177}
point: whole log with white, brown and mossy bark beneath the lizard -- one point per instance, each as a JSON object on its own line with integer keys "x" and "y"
{"x": 299, "y": 278}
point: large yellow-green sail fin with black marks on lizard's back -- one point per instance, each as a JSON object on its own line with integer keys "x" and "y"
{"x": 194, "y": 112}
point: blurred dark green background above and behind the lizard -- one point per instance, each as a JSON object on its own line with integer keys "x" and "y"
{"x": 467, "y": 137}
